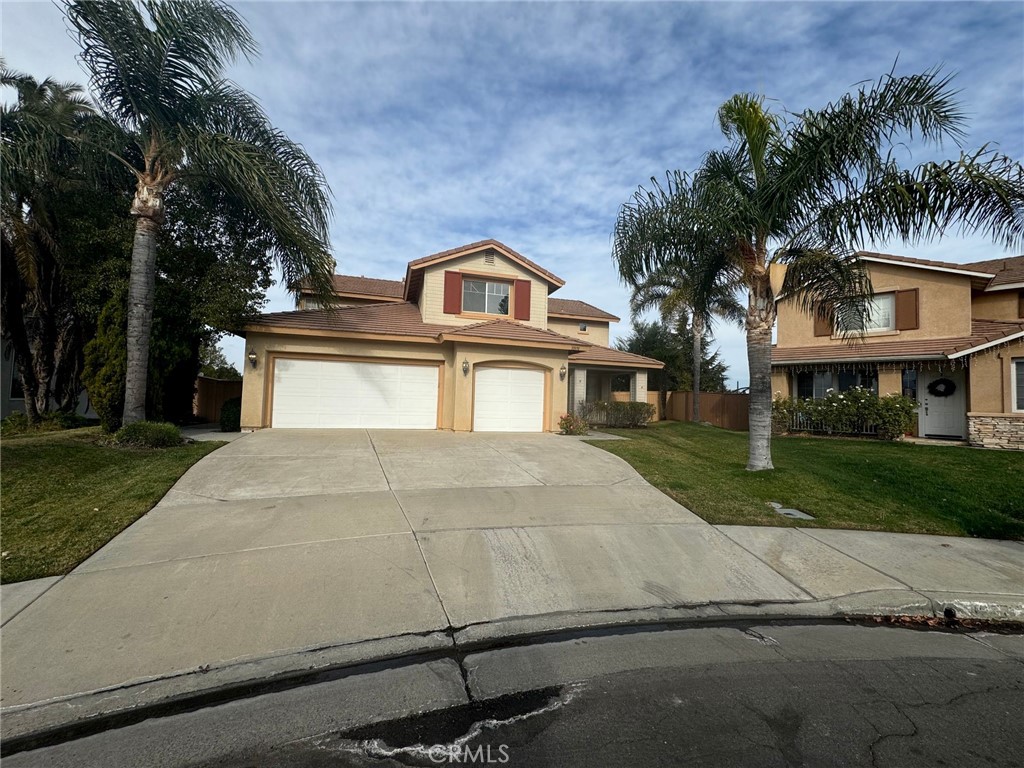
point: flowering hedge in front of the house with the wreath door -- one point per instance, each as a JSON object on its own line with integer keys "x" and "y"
{"x": 857, "y": 411}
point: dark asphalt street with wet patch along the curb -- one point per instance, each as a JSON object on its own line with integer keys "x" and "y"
{"x": 775, "y": 695}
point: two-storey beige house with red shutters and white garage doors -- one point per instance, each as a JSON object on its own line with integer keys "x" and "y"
{"x": 470, "y": 340}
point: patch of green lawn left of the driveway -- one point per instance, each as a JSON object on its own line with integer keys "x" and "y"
{"x": 65, "y": 495}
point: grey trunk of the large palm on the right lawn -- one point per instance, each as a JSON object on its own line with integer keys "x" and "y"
{"x": 760, "y": 318}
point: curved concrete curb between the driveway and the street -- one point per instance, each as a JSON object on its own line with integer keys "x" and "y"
{"x": 68, "y": 718}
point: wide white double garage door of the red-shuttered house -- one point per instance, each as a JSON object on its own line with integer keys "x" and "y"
{"x": 373, "y": 396}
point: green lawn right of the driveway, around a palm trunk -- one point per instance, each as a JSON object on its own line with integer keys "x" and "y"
{"x": 845, "y": 484}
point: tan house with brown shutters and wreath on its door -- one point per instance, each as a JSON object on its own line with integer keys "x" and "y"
{"x": 952, "y": 336}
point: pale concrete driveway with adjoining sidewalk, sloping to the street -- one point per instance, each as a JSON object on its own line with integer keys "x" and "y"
{"x": 287, "y": 551}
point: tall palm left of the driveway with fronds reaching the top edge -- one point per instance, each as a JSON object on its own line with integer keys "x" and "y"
{"x": 156, "y": 69}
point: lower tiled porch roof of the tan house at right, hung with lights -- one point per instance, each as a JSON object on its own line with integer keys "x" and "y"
{"x": 983, "y": 332}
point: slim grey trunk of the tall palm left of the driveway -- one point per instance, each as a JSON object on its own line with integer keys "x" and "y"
{"x": 141, "y": 300}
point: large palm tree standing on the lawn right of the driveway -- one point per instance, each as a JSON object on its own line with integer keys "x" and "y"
{"x": 792, "y": 198}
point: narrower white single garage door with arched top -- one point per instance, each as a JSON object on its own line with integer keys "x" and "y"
{"x": 508, "y": 400}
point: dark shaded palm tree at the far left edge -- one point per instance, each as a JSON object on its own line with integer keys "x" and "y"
{"x": 40, "y": 164}
